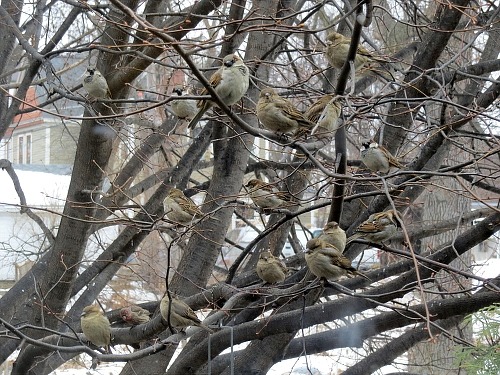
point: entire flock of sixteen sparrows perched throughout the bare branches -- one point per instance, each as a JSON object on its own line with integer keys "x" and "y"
{"x": 324, "y": 255}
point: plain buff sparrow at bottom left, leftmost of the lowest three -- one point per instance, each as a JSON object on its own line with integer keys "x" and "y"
{"x": 96, "y": 327}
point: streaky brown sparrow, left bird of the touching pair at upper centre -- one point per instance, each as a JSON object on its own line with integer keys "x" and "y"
{"x": 279, "y": 114}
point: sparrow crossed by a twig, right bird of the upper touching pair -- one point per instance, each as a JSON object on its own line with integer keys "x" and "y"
{"x": 324, "y": 113}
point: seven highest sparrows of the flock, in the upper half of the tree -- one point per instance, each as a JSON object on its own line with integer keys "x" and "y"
{"x": 277, "y": 114}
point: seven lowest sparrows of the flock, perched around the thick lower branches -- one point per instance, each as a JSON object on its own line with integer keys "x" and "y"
{"x": 324, "y": 258}
